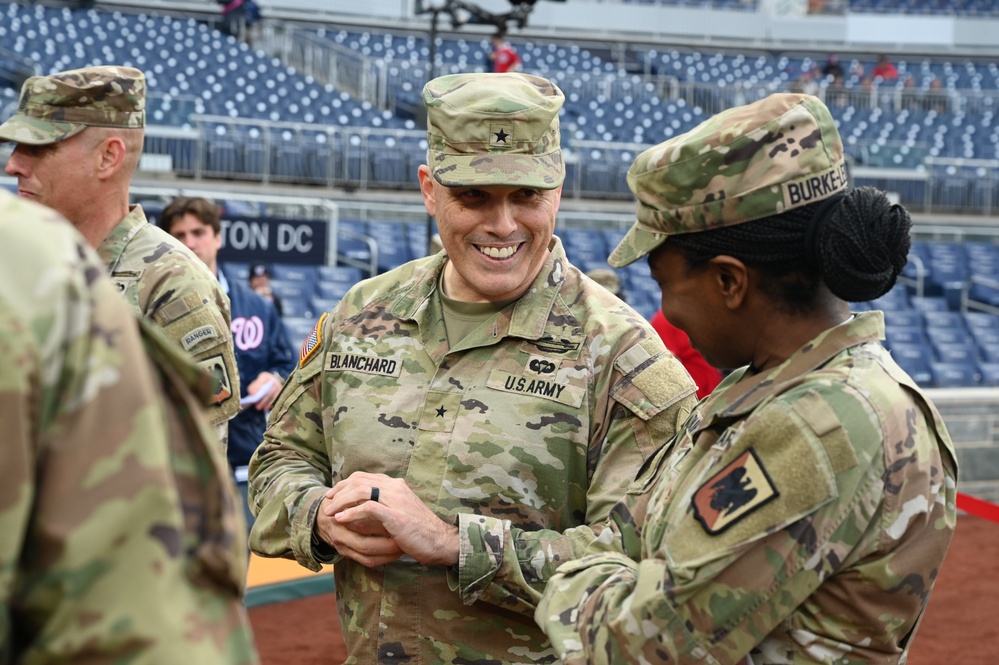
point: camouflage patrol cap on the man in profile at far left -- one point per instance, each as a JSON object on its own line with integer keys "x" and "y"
{"x": 56, "y": 107}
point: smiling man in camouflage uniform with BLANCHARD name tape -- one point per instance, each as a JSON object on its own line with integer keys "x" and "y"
{"x": 474, "y": 412}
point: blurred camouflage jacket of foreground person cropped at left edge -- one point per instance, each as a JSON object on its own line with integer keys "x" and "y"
{"x": 122, "y": 542}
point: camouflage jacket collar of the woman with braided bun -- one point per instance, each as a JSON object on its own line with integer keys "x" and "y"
{"x": 742, "y": 392}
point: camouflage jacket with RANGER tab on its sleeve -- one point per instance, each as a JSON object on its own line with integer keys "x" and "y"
{"x": 165, "y": 282}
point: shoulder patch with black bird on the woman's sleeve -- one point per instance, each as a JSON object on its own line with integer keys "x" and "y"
{"x": 732, "y": 493}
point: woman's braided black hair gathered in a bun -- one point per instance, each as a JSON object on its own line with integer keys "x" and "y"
{"x": 859, "y": 245}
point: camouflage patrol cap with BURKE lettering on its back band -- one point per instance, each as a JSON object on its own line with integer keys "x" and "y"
{"x": 745, "y": 163}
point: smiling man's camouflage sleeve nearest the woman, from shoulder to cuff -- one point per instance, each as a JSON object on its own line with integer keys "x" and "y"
{"x": 649, "y": 397}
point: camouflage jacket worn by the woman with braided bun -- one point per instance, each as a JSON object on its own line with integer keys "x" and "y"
{"x": 801, "y": 517}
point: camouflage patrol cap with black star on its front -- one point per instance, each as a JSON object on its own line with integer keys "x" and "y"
{"x": 494, "y": 129}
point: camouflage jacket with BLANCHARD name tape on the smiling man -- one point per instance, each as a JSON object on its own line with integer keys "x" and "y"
{"x": 526, "y": 432}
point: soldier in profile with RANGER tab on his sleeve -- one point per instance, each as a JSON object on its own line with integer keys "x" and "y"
{"x": 78, "y": 137}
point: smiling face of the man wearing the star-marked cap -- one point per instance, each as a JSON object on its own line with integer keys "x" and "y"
{"x": 496, "y": 237}
